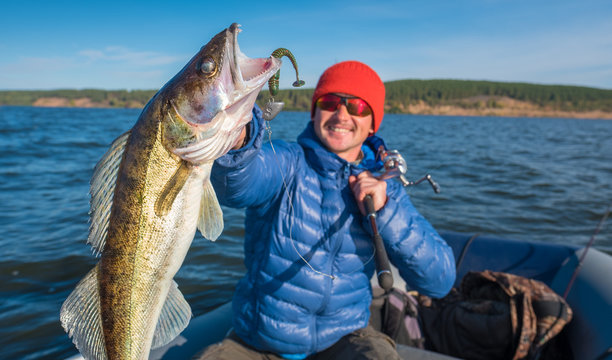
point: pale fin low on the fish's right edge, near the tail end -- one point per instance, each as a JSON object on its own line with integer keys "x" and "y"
{"x": 173, "y": 319}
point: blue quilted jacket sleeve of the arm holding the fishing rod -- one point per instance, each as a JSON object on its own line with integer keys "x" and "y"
{"x": 423, "y": 258}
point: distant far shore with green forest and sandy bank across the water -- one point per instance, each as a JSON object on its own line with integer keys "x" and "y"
{"x": 438, "y": 97}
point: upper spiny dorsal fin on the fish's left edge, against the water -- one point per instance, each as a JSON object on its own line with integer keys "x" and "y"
{"x": 102, "y": 190}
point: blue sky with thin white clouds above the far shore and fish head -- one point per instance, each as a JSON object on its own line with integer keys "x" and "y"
{"x": 141, "y": 45}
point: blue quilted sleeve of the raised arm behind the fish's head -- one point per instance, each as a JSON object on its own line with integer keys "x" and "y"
{"x": 252, "y": 176}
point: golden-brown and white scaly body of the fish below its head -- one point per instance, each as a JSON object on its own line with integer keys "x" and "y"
{"x": 141, "y": 244}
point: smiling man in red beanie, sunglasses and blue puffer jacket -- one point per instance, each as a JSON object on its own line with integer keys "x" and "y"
{"x": 308, "y": 247}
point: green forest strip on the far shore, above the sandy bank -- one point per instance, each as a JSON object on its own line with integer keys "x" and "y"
{"x": 400, "y": 94}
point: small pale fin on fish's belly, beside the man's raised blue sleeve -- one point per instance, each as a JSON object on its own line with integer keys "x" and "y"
{"x": 210, "y": 222}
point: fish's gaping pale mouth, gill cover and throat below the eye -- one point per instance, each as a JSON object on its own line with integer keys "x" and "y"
{"x": 216, "y": 117}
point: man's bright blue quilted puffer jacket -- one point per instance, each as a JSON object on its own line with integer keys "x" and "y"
{"x": 308, "y": 249}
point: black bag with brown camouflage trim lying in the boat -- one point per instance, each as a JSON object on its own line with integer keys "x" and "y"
{"x": 494, "y": 315}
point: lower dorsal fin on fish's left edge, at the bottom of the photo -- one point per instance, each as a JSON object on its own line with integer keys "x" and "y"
{"x": 81, "y": 319}
